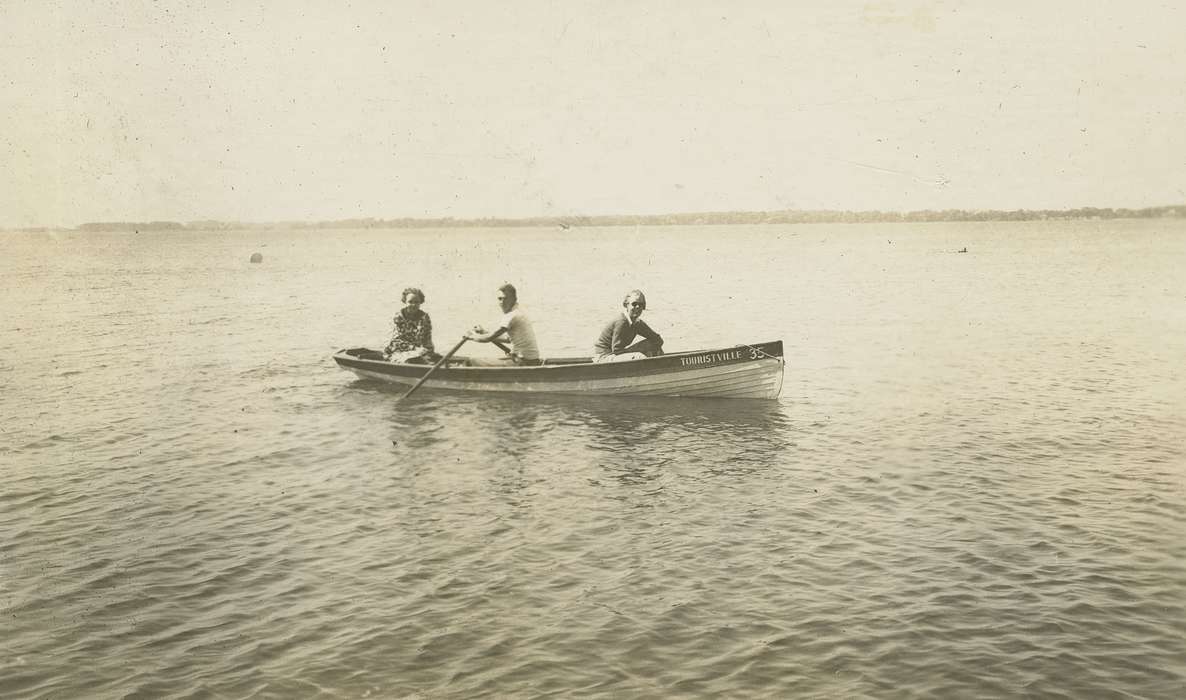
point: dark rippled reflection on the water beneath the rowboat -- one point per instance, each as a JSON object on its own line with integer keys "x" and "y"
{"x": 626, "y": 438}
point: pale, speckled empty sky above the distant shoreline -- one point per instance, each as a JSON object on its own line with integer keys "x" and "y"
{"x": 141, "y": 111}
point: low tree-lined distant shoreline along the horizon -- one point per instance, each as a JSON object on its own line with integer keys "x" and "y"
{"x": 703, "y": 219}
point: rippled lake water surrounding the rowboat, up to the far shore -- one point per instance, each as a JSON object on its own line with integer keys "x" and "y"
{"x": 974, "y": 483}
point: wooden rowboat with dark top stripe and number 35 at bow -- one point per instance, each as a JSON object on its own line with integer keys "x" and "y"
{"x": 743, "y": 372}
